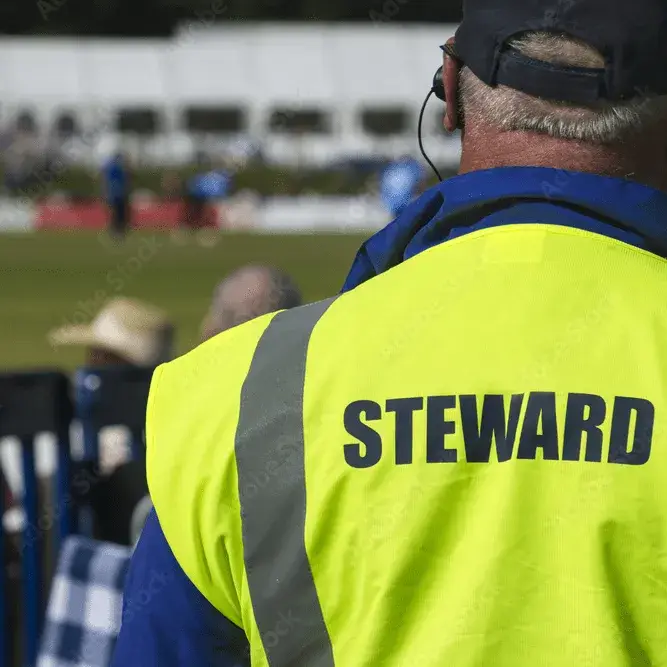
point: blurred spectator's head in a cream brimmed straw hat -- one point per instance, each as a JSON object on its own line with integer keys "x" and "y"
{"x": 125, "y": 331}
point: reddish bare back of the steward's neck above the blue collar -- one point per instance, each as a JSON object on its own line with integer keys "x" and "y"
{"x": 641, "y": 160}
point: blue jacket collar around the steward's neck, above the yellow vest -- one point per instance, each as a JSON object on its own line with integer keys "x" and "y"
{"x": 626, "y": 210}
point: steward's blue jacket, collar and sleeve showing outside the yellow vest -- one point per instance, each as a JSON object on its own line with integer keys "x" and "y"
{"x": 178, "y": 627}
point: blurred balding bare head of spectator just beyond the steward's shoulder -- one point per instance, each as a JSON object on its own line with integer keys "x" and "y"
{"x": 248, "y": 293}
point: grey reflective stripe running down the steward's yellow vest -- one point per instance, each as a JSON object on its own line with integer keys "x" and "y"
{"x": 272, "y": 491}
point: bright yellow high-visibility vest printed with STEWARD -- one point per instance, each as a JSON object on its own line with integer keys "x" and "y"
{"x": 460, "y": 462}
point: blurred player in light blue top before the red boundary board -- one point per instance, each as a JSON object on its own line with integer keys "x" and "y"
{"x": 210, "y": 185}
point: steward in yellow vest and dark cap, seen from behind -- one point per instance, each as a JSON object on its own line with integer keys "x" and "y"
{"x": 461, "y": 459}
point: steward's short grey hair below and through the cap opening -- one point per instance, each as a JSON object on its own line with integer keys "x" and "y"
{"x": 510, "y": 110}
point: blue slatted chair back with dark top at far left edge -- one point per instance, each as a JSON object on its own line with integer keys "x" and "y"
{"x": 32, "y": 403}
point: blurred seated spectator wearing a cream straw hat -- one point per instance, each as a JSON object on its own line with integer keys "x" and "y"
{"x": 126, "y": 332}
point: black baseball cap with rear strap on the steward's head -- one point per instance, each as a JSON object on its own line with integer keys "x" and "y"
{"x": 630, "y": 34}
